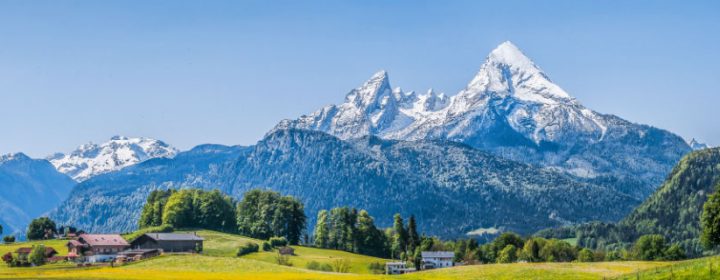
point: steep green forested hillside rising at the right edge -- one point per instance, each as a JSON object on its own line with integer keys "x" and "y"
{"x": 674, "y": 209}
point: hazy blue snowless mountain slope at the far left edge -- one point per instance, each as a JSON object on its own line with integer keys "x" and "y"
{"x": 29, "y": 188}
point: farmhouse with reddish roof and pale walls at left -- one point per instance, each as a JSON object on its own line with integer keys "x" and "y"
{"x": 96, "y": 247}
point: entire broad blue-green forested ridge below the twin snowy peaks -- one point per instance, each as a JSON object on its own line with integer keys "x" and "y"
{"x": 451, "y": 188}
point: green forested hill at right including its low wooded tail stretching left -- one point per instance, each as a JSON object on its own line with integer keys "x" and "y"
{"x": 672, "y": 211}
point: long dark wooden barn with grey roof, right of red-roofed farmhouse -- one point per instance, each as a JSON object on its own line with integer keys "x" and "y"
{"x": 169, "y": 242}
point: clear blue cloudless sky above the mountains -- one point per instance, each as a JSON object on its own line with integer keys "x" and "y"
{"x": 193, "y": 72}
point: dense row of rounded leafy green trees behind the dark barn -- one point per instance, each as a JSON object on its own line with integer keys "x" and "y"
{"x": 260, "y": 214}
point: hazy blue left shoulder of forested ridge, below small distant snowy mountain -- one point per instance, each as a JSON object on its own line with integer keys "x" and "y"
{"x": 111, "y": 202}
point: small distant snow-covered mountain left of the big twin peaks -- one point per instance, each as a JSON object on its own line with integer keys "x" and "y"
{"x": 93, "y": 159}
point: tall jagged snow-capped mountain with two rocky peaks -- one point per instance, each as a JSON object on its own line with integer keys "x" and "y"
{"x": 513, "y": 109}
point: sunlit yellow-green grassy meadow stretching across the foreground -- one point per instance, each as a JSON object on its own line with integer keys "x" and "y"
{"x": 218, "y": 262}
